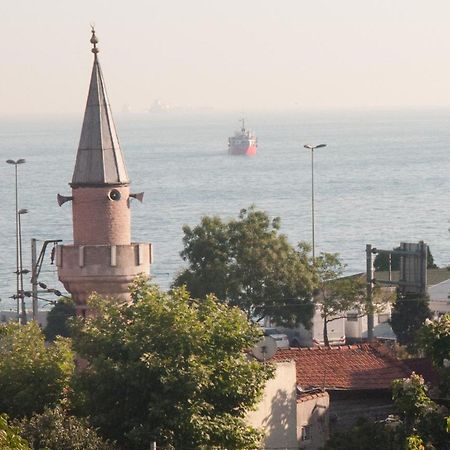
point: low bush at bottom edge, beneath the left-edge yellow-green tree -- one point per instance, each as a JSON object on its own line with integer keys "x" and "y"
{"x": 55, "y": 429}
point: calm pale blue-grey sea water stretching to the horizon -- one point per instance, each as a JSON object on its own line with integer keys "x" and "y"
{"x": 384, "y": 178}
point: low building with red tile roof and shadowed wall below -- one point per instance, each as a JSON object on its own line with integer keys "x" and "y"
{"x": 357, "y": 378}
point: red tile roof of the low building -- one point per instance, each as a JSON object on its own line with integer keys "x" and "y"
{"x": 355, "y": 367}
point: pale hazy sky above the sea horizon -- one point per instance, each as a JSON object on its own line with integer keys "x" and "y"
{"x": 229, "y": 54}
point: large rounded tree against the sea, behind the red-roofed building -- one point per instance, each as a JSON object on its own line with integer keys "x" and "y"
{"x": 249, "y": 264}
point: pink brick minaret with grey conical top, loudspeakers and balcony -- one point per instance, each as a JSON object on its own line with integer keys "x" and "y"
{"x": 102, "y": 258}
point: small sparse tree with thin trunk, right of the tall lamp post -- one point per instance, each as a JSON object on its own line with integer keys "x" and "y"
{"x": 336, "y": 295}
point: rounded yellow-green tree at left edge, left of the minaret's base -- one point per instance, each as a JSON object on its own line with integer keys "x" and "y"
{"x": 32, "y": 375}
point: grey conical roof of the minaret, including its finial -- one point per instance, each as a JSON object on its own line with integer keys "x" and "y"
{"x": 99, "y": 157}
